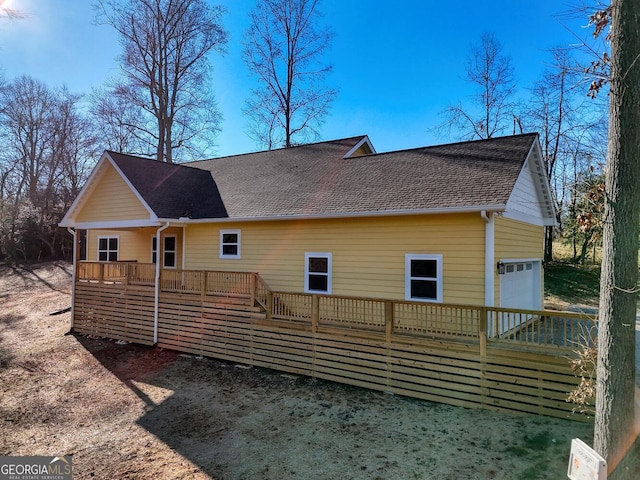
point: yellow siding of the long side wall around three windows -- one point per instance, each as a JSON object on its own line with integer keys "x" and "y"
{"x": 368, "y": 254}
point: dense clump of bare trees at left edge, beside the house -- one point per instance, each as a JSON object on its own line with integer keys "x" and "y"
{"x": 47, "y": 147}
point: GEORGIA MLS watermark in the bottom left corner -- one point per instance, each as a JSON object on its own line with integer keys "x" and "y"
{"x": 35, "y": 468}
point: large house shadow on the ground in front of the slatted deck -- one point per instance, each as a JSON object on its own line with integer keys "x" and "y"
{"x": 234, "y": 422}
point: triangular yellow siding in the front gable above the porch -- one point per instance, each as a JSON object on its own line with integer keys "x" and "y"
{"x": 112, "y": 199}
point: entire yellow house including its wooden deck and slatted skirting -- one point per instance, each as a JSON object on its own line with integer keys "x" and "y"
{"x": 416, "y": 272}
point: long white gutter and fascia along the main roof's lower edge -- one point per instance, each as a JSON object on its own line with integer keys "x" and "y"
{"x": 380, "y": 213}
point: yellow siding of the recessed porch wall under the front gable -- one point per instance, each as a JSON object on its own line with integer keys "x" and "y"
{"x": 134, "y": 244}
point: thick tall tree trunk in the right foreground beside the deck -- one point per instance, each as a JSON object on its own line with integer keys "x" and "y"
{"x": 614, "y": 420}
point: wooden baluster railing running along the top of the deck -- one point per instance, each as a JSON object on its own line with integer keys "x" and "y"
{"x": 477, "y": 324}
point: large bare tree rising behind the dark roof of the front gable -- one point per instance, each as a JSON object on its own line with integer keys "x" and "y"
{"x": 165, "y": 68}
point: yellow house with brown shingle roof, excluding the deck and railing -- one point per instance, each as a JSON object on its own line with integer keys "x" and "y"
{"x": 461, "y": 223}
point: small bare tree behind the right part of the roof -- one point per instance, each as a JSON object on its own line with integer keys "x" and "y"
{"x": 492, "y": 111}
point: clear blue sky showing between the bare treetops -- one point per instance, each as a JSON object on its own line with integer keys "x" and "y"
{"x": 396, "y": 65}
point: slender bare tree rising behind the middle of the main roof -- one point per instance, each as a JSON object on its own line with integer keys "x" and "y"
{"x": 283, "y": 48}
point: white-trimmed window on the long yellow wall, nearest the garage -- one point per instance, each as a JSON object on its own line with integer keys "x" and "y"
{"x": 423, "y": 277}
